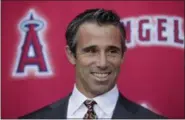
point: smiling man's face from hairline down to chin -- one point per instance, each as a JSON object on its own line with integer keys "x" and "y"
{"x": 98, "y": 58}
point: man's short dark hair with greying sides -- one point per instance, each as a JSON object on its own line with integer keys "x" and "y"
{"x": 101, "y": 16}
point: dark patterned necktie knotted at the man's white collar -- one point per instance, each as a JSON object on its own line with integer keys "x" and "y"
{"x": 90, "y": 112}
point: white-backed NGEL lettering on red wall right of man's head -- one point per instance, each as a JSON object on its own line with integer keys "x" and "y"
{"x": 158, "y": 30}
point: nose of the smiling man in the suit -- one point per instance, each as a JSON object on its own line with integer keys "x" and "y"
{"x": 102, "y": 61}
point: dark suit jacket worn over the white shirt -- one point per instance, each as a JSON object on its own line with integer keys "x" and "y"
{"x": 124, "y": 109}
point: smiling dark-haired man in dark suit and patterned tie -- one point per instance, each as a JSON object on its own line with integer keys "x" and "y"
{"x": 96, "y": 47}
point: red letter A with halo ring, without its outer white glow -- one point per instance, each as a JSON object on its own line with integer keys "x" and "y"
{"x": 37, "y": 58}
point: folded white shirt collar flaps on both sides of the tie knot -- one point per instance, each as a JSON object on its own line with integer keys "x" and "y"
{"x": 106, "y": 101}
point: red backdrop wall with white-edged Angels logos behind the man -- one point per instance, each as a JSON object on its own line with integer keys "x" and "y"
{"x": 152, "y": 73}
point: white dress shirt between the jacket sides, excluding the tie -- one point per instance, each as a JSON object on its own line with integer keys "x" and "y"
{"x": 103, "y": 109}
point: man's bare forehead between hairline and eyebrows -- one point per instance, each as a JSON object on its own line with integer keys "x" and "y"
{"x": 94, "y": 34}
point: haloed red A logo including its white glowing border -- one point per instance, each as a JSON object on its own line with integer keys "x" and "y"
{"x": 32, "y": 54}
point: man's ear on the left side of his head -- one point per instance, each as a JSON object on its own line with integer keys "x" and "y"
{"x": 70, "y": 55}
